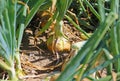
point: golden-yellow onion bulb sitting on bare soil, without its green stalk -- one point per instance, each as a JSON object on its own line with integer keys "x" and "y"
{"x": 60, "y": 44}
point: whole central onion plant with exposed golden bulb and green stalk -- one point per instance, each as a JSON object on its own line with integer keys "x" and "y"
{"x": 57, "y": 42}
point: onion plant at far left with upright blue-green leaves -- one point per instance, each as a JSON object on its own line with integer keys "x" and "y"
{"x": 13, "y": 20}
